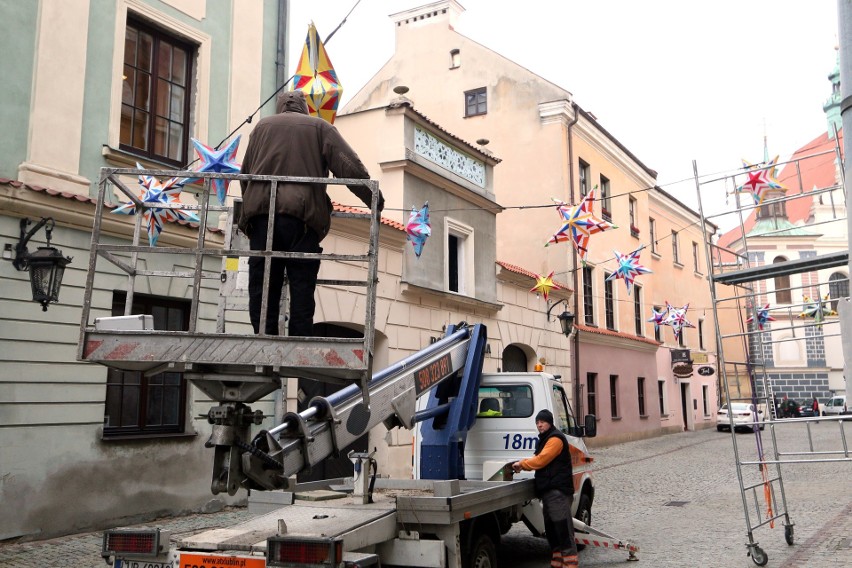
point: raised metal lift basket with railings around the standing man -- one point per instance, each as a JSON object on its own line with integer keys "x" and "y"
{"x": 208, "y": 346}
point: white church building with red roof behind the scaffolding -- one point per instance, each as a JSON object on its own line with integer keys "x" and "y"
{"x": 805, "y": 220}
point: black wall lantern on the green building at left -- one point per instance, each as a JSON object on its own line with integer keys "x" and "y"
{"x": 46, "y": 265}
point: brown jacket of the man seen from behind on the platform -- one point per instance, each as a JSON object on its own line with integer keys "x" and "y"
{"x": 291, "y": 143}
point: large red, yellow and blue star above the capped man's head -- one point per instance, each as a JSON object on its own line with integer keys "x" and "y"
{"x": 315, "y": 76}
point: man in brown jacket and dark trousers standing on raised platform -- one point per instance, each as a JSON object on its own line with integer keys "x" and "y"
{"x": 292, "y": 143}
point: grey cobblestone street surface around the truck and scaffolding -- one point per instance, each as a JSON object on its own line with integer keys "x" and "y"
{"x": 675, "y": 496}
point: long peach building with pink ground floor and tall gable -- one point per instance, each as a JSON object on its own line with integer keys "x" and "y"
{"x": 551, "y": 149}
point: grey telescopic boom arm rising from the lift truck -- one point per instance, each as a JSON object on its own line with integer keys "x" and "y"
{"x": 452, "y": 365}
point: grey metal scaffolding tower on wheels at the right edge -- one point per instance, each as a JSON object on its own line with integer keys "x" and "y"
{"x": 768, "y": 326}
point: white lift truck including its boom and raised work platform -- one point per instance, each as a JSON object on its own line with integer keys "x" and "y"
{"x": 451, "y": 515}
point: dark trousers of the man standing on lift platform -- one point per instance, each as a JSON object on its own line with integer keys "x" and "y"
{"x": 290, "y": 234}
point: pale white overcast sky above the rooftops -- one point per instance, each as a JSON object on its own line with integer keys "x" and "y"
{"x": 672, "y": 80}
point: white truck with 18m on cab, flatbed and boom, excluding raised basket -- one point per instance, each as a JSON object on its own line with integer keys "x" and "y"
{"x": 370, "y": 520}
